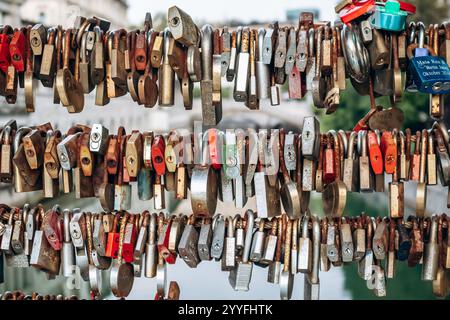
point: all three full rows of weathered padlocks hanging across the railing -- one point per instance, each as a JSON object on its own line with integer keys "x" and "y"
{"x": 373, "y": 47}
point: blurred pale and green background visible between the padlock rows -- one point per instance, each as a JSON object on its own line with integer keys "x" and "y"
{"x": 207, "y": 281}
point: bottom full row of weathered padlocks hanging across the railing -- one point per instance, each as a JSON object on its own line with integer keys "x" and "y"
{"x": 132, "y": 245}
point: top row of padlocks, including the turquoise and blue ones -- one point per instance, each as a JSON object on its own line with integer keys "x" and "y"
{"x": 373, "y": 47}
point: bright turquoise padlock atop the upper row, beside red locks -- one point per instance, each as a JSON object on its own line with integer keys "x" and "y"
{"x": 389, "y": 17}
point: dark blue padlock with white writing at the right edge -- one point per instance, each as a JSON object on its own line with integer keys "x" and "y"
{"x": 430, "y": 73}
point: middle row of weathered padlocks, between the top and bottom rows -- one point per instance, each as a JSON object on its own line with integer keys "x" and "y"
{"x": 279, "y": 169}
